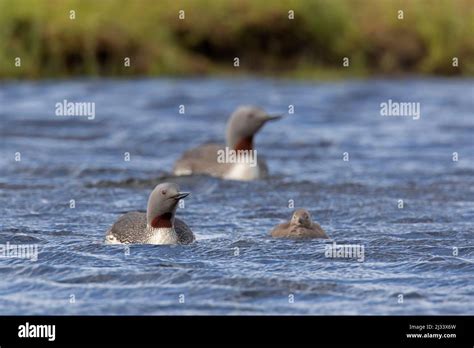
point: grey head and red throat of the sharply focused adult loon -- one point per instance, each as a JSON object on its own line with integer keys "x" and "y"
{"x": 162, "y": 205}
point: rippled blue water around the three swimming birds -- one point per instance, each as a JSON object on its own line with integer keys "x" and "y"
{"x": 408, "y": 251}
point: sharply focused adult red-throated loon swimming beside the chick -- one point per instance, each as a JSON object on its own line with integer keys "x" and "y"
{"x": 158, "y": 225}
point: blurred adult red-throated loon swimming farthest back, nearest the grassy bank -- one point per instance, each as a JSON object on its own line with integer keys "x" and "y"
{"x": 242, "y": 126}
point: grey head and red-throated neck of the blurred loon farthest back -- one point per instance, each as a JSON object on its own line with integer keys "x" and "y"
{"x": 243, "y": 124}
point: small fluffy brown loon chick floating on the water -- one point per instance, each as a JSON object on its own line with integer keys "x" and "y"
{"x": 300, "y": 227}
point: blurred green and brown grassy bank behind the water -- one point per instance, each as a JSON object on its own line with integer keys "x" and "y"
{"x": 259, "y": 32}
